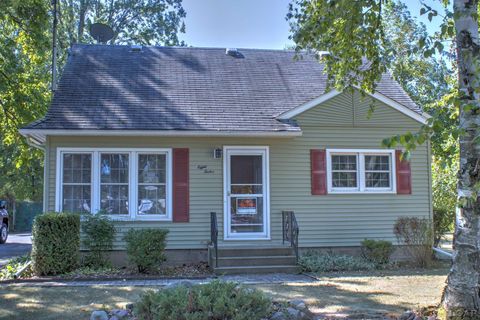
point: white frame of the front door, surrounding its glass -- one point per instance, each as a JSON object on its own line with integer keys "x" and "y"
{"x": 247, "y": 150}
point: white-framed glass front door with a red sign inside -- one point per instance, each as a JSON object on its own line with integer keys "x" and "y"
{"x": 246, "y": 193}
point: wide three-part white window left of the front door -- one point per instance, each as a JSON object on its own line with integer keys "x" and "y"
{"x": 123, "y": 183}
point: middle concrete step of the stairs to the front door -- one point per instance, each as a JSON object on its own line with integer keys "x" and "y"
{"x": 256, "y": 261}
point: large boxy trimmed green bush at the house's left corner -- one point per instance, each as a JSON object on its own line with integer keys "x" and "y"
{"x": 56, "y": 243}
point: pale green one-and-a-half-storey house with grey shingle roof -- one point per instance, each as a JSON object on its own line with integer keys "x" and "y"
{"x": 160, "y": 137}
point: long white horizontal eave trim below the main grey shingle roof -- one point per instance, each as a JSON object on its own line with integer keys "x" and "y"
{"x": 39, "y": 135}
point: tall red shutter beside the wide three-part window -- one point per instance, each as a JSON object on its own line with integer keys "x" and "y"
{"x": 181, "y": 192}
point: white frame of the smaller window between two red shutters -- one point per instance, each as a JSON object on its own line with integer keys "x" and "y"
{"x": 361, "y": 153}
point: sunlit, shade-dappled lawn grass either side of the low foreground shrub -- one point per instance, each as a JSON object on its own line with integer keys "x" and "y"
{"x": 349, "y": 293}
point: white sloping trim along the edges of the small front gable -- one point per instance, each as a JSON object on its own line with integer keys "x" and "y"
{"x": 333, "y": 93}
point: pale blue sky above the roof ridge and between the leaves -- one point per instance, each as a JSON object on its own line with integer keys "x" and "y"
{"x": 251, "y": 23}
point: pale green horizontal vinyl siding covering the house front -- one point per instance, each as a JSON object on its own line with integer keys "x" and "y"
{"x": 329, "y": 220}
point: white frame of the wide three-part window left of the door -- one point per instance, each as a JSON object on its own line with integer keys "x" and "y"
{"x": 132, "y": 183}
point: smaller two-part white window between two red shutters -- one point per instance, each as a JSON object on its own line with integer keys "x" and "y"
{"x": 357, "y": 170}
